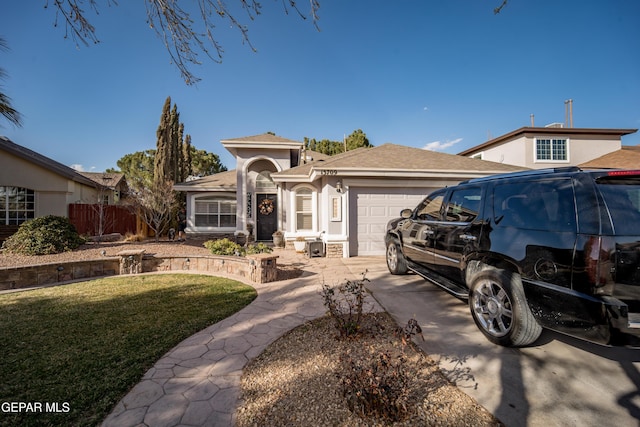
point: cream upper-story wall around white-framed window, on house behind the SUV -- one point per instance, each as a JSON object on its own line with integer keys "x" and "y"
{"x": 521, "y": 151}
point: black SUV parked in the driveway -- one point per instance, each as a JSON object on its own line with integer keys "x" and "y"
{"x": 554, "y": 248}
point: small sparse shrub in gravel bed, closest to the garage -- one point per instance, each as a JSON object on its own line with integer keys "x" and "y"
{"x": 346, "y": 306}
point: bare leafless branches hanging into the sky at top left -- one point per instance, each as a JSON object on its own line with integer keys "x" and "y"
{"x": 184, "y": 36}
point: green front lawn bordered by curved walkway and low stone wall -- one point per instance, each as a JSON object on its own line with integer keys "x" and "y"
{"x": 87, "y": 344}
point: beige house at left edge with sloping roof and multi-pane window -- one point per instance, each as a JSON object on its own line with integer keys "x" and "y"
{"x": 32, "y": 185}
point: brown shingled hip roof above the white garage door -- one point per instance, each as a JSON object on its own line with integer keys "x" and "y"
{"x": 397, "y": 161}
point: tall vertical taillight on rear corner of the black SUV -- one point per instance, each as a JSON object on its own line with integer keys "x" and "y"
{"x": 600, "y": 263}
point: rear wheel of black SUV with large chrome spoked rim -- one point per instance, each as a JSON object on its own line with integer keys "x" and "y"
{"x": 500, "y": 310}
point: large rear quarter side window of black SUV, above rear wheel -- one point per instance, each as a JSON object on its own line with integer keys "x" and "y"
{"x": 540, "y": 205}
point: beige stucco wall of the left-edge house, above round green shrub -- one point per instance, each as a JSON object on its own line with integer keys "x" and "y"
{"x": 53, "y": 192}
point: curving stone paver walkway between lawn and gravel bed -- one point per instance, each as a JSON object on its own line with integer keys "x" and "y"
{"x": 197, "y": 383}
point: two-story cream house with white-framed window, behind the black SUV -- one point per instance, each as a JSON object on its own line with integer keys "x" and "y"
{"x": 551, "y": 146}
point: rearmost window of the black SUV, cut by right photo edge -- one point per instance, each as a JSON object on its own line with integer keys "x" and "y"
{"x": 622, "y": 197}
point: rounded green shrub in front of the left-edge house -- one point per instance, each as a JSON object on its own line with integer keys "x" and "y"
{"x": 45, "y": 235}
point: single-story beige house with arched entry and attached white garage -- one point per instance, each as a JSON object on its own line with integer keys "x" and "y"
{"x": 345, "y": 199}
